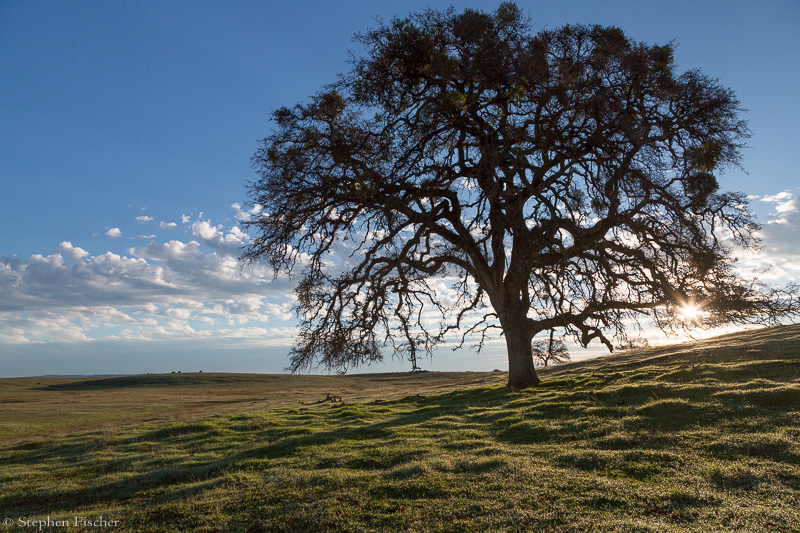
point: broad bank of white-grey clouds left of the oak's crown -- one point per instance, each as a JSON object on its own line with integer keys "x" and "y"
{"x": 180, "y": 288}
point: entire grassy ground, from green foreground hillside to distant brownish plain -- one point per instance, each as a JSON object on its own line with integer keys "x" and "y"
{"x": 696, "y": 437}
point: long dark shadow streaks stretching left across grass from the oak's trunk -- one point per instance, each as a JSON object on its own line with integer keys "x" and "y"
{"x": 205, "y": 476}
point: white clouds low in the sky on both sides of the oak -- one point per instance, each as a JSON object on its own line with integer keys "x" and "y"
{"x": 183, "y": 285}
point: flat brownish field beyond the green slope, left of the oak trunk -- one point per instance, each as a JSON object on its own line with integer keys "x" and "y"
{"x": 46, "y": 407}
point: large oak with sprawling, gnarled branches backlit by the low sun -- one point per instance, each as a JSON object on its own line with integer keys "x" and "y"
{"x": 560, "y": 180}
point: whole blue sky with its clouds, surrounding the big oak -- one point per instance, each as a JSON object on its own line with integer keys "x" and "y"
{"x": 126, "y": 131}
